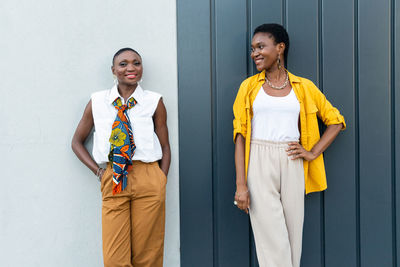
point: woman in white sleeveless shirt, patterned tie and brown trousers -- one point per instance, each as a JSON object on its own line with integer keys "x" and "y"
{"x": 131, "y": 158}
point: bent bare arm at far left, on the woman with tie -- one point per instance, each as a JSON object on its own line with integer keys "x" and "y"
{"x": 81, "y": 133}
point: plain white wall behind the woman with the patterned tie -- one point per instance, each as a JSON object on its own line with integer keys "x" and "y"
{"x": 53, "y": 55}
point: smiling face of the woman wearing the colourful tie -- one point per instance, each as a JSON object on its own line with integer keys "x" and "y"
{"x": 128, "y": 68}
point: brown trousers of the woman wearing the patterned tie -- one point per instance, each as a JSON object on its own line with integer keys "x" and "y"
{"x": 134, "y": 220}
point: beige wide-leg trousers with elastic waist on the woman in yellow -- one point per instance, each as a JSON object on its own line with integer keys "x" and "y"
{"x": 276, "y": 185}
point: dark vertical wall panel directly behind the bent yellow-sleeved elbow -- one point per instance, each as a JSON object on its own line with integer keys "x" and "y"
{"x": 338, "y": 86}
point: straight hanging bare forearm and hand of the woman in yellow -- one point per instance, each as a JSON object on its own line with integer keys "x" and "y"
{"x": 242, "y": 194}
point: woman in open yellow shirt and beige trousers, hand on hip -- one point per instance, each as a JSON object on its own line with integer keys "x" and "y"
{"x": 278, "y": 148}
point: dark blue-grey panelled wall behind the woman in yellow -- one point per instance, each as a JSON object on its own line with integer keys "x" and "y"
{"x": 347, "y": 47}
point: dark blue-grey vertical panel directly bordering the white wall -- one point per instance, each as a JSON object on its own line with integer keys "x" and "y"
{"x": 195, "y": 147}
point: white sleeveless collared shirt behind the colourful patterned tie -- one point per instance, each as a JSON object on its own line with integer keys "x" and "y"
{"x": 148, "y": 148}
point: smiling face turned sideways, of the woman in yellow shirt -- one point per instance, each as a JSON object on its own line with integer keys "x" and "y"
{"x": 265, "y": 52}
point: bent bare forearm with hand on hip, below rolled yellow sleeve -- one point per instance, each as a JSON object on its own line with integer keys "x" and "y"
{"x": 297, "y": 151}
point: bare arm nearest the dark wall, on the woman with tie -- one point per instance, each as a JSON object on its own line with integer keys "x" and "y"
{"x": 161, "y": 129}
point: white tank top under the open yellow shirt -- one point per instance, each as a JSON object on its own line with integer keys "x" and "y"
{"x": 275, "y": 118}
